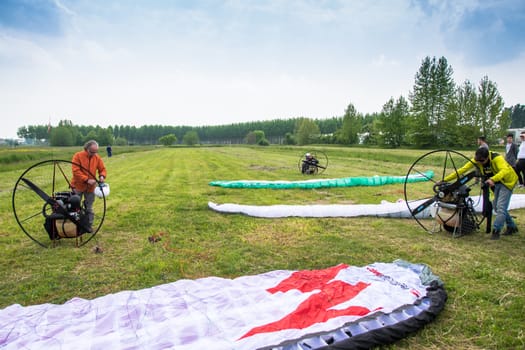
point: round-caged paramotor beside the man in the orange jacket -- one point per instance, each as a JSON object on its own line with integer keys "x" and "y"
{"x": 43, "y": 203}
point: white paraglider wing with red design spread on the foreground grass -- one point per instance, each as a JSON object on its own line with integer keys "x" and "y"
{"x": 343, "y": 306}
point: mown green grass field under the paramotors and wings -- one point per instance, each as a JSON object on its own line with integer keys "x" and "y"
{"x": 164, "y": 192}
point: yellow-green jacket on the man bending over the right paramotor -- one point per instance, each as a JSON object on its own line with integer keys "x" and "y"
{"x": 502, "y": 171}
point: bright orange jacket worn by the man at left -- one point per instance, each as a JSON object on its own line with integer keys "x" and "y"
{"x": 85, "y": 167}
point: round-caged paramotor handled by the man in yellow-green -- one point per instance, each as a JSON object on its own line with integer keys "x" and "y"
{"x": 446, "y": 205}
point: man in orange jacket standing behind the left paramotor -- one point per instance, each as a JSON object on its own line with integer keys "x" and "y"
{"x": 86, "y": 163}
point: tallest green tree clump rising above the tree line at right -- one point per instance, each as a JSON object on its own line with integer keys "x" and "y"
{"x": 433, "y": 92}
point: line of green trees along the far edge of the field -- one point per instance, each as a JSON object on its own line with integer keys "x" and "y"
{"x": 437, "y": 112}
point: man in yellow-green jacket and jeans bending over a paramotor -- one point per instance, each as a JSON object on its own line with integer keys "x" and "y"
{"x": 501, "y": 178}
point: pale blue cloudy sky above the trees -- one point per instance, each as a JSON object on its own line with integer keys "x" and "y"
{"x": 210, "y": 62}
